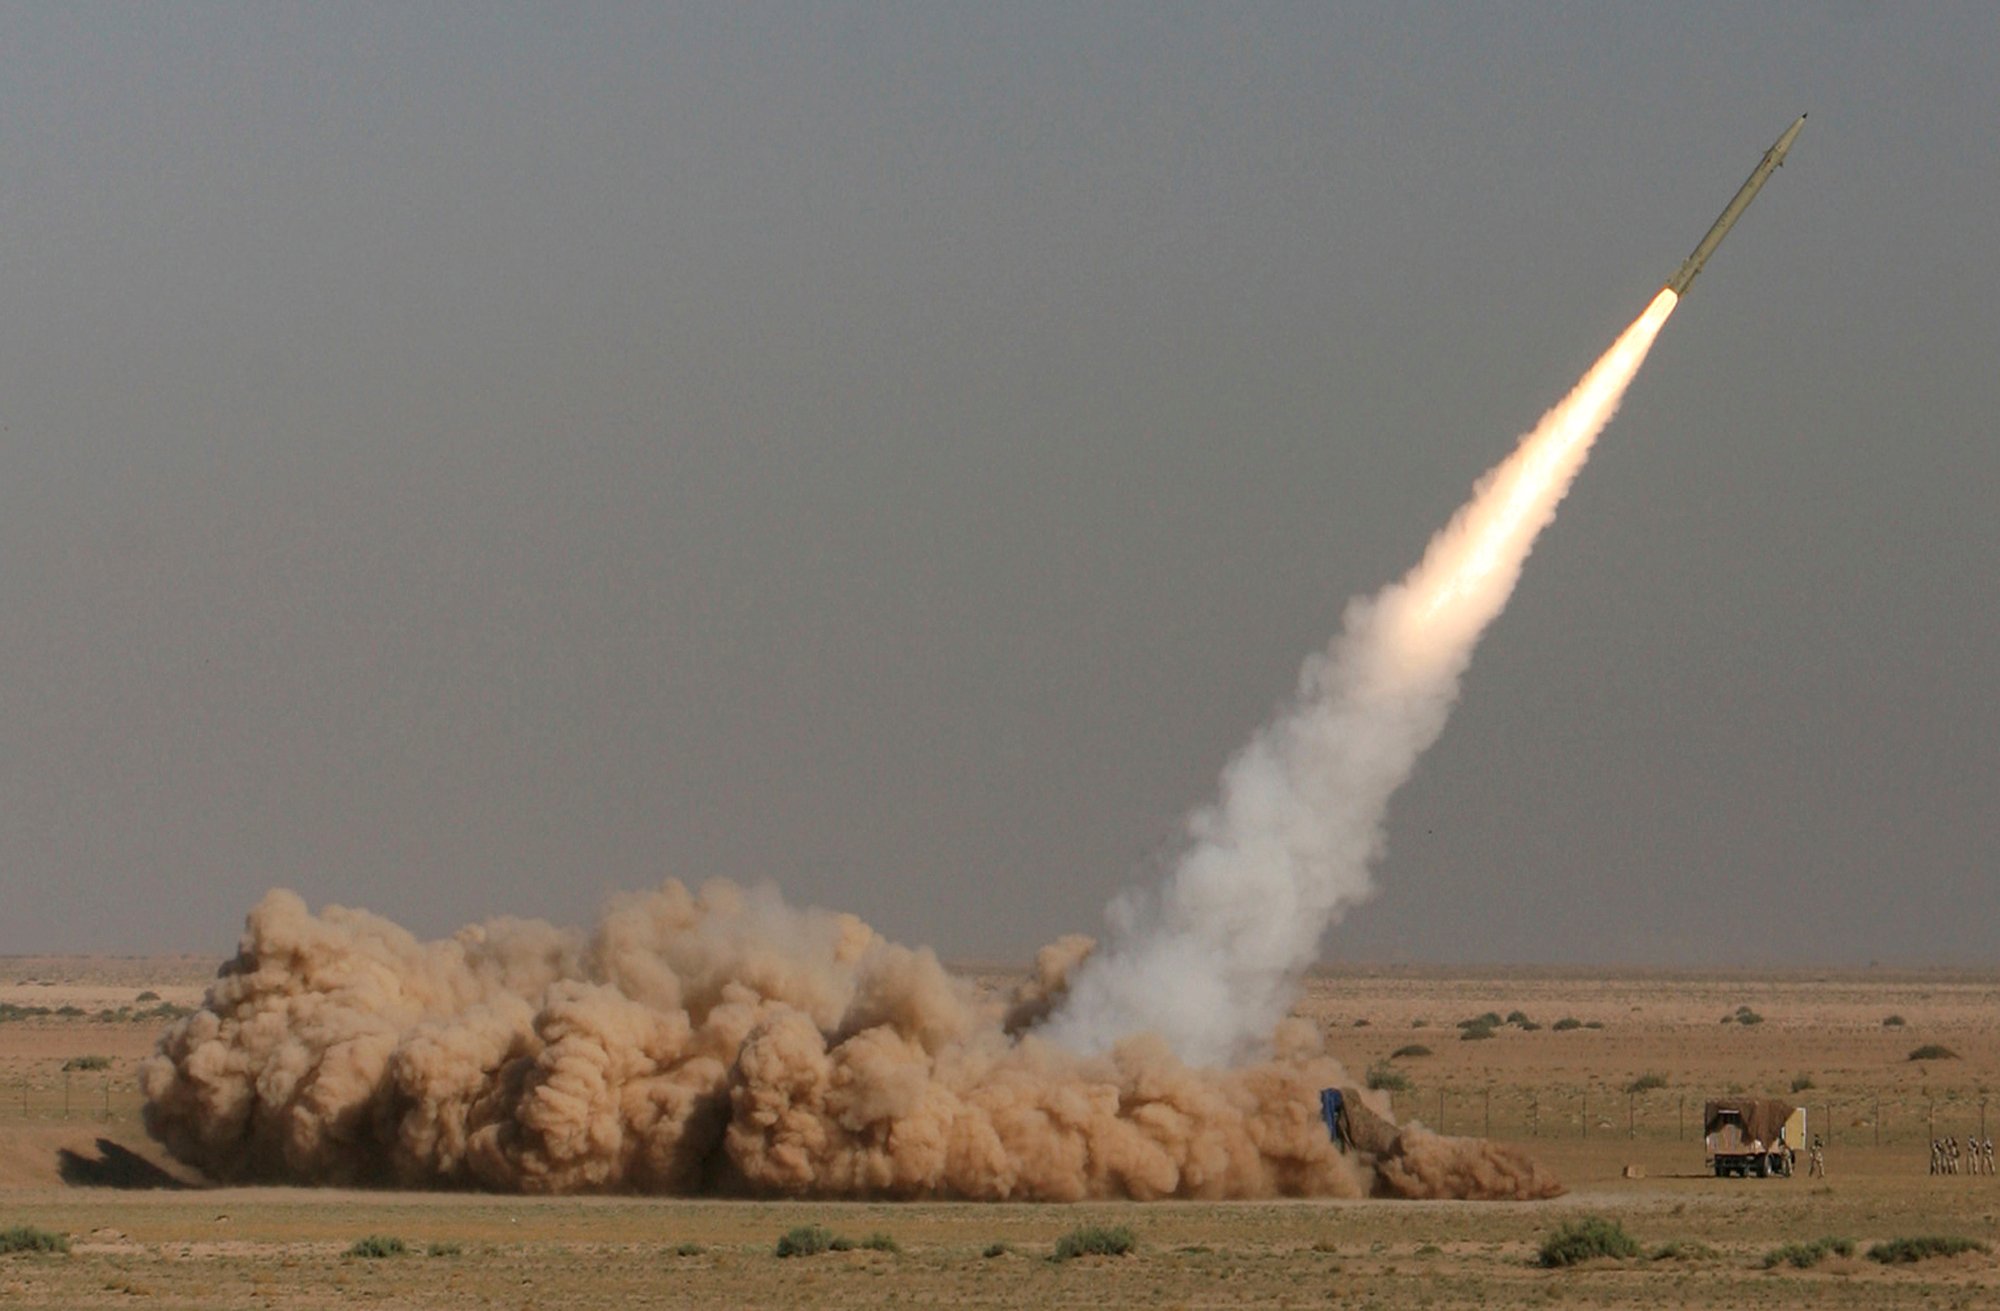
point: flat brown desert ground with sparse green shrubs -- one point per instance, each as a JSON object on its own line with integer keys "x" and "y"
{"x": 75, "y": 1160}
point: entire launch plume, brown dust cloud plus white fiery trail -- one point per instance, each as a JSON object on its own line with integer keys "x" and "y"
{"x": 725, "y": 1042}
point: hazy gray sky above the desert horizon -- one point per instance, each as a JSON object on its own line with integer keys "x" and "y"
{"x": 465, "y": 461}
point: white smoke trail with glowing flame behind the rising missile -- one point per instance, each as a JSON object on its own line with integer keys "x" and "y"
{"x": 1211, "y": 960}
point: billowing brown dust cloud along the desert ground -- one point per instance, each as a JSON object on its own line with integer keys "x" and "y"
{"x": 719, "y": 1042}
